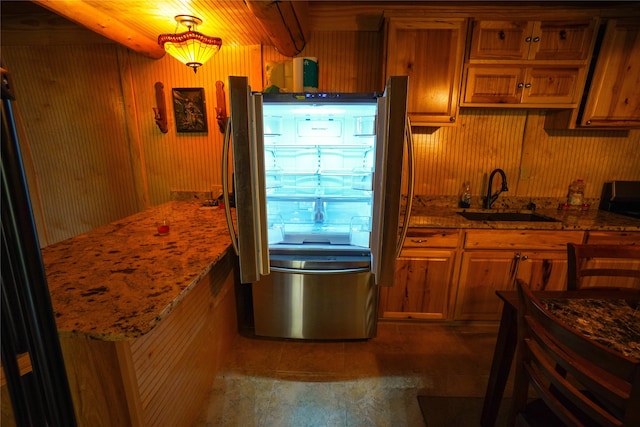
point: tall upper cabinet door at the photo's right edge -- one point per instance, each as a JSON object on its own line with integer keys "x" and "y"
{"x": 614, "y": 93}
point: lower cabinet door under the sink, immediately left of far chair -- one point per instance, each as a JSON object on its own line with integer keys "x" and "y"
{"x": 543, "y": 270}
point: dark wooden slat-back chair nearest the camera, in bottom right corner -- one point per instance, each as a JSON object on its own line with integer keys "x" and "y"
{"x": 578, "y": 382}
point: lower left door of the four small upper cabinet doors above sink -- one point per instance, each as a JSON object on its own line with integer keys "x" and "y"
{"x": 490, "y": 84}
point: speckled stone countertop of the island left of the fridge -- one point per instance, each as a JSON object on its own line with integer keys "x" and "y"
{"x": 118, "y": 281}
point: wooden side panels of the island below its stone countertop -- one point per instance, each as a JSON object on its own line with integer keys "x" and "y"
{"x": 164, "y": 377}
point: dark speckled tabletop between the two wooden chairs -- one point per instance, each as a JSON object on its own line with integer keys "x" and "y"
{"x": 594, "y": 318}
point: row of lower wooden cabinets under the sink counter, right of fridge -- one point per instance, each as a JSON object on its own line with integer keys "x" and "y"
{"x": 450, "y": 274}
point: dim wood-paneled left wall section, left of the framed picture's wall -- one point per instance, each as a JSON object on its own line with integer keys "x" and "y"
{"x": 72, "y": 124}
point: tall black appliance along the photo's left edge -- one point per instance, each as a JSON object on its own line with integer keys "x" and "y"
{"x": 41, "y": 396}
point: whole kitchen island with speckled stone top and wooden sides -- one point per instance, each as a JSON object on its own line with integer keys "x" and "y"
{"x": 144, "y": 319}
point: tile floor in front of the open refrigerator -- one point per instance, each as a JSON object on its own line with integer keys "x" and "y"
{"x": 356, "y": 383}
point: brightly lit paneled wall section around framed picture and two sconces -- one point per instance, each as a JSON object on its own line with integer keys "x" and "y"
{"x": 184, "y": 161}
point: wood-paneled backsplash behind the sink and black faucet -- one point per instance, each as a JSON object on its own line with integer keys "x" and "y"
{"x": 537, "y": 163}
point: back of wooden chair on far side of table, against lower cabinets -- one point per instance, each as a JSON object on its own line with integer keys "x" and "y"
{"x": 602, "y": 266}
